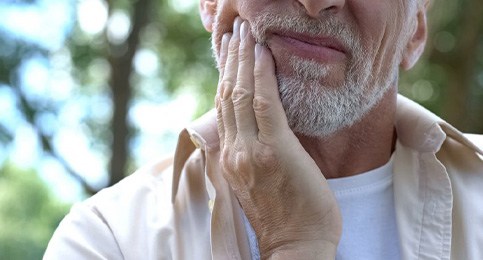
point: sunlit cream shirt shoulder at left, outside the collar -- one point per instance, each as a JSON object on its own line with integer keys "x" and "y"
{"x": 118, "y": 221}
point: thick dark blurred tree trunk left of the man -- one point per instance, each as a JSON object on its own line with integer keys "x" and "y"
{"x": 120, "y": 59}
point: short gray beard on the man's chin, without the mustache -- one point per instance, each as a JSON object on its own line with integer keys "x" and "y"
{"x": 316, "y": 110}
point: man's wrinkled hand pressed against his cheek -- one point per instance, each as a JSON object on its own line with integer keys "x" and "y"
{"x": 280, "y": 188}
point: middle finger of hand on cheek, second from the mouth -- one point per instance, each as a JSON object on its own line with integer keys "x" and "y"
{"x": 244, "y": 90}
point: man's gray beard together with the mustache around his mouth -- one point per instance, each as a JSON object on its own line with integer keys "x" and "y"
{"x": 315, "y": 108}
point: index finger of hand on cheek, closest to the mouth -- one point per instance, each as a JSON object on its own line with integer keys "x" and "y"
{"x": 267, "y": 105}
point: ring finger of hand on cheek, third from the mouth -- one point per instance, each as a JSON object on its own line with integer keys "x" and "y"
{"x": 228, "y": 83}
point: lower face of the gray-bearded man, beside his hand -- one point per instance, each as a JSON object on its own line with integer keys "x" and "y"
{"x": 331, "y": 68}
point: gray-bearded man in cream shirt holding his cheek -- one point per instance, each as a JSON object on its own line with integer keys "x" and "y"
{"x": 310, "y": 154}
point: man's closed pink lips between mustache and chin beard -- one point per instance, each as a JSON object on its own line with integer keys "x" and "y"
{"x": 319, "y": 48}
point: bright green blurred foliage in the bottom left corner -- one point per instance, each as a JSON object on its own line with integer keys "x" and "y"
{"x": 29, "y": 213}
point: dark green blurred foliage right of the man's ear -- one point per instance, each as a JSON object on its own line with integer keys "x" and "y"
{"x": 448, "y": 79}
